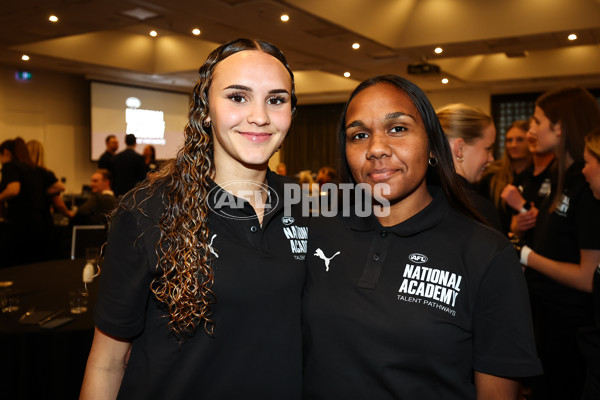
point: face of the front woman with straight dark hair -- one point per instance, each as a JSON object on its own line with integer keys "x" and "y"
{"x": 386, "y": 142}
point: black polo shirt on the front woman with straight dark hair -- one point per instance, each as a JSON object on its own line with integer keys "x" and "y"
{"x": 409, "y": 311}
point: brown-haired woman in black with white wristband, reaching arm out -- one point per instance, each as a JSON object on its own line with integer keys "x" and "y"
{"x": 566, "y": 244}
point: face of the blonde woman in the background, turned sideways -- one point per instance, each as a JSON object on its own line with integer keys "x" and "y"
{"x": 477, "y": 155}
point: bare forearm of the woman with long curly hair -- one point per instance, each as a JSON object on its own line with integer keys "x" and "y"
{"x": 105, "y": 367}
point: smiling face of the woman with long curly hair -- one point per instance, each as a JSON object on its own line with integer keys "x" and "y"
{"x": 250, "y": 109}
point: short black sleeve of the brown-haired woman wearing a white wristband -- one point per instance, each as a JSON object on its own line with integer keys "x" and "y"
{"x": 588, "y": 220}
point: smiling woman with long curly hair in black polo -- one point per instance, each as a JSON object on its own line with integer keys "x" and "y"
{"x": 202, "y": 278}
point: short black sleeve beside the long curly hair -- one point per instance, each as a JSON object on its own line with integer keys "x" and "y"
{"x": 125, "y": 277}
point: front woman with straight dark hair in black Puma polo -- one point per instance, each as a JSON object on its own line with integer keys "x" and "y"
{"x": 422, "y": 300}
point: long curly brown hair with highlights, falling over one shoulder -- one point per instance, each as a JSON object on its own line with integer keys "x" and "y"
{"x": 185, "y": 275}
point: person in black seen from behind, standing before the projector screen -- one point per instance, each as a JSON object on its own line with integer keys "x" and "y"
{"x": 129, "y": 167}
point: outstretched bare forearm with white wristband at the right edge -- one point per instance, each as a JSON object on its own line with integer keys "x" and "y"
{"x": 578, "y": 276}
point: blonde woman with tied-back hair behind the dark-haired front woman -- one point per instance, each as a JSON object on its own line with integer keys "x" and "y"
{"x": 471, "y": 134}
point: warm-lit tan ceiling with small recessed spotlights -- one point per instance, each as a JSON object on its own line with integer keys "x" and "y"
{"x": 501, "y": 45}
